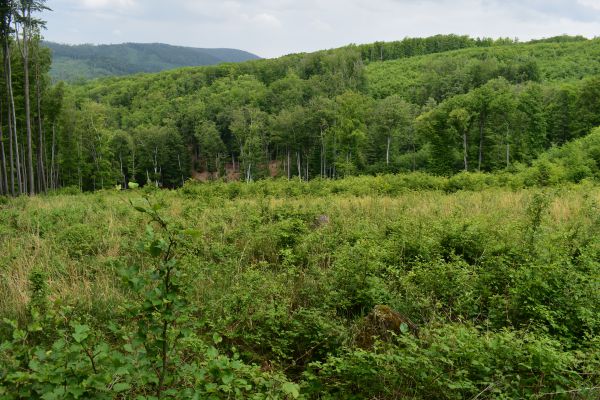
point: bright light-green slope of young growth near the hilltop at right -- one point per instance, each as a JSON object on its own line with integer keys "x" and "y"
{"x": 445, "y": 74}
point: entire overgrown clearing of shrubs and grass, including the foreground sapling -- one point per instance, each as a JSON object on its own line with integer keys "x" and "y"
{"x": 358, "y": 288}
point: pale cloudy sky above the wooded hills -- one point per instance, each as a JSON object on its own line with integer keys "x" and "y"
{"x": 271, "y": 28}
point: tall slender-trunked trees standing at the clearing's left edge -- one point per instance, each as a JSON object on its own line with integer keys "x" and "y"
{"x": 29, "y": 107}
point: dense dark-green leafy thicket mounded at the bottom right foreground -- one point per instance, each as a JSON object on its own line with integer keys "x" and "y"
{"x": 453, "y": 362}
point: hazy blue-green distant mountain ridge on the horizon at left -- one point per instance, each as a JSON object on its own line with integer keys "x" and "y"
{"x": 87, "y": 61}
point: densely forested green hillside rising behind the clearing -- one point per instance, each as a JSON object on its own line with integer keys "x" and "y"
{"x": 487, "y": 106}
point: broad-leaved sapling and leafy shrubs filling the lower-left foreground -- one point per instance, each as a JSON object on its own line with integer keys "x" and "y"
{"x": 145, "y": 352}
